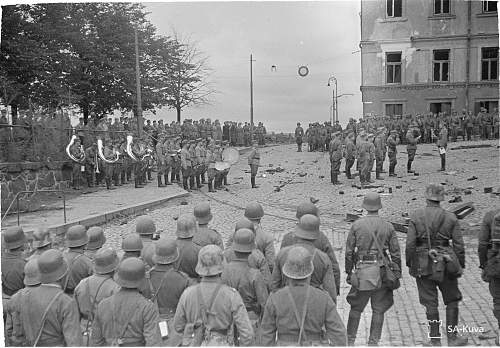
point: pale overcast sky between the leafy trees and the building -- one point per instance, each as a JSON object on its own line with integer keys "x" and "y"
{"x": 320, "y": 35}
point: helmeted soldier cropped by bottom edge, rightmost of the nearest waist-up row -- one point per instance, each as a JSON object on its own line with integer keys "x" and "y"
{"x": 298, "y": 313}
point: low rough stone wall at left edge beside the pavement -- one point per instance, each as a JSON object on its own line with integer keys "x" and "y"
{"x": 31, "y": 176}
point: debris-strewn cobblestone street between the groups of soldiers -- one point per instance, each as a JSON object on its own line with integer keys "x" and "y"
{"x": 306, "y": 175}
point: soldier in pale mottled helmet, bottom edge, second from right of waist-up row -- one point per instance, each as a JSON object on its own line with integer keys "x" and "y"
{"x": 221, "y": 306}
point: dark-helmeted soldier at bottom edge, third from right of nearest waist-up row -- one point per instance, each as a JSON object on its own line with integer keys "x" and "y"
{"x": 126, "y": 318}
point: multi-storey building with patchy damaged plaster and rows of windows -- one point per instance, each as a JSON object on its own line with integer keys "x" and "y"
{"x": 420, "y": 56}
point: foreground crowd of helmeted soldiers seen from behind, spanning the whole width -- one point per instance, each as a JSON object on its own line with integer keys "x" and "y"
{"x": 196, "y": 289}
